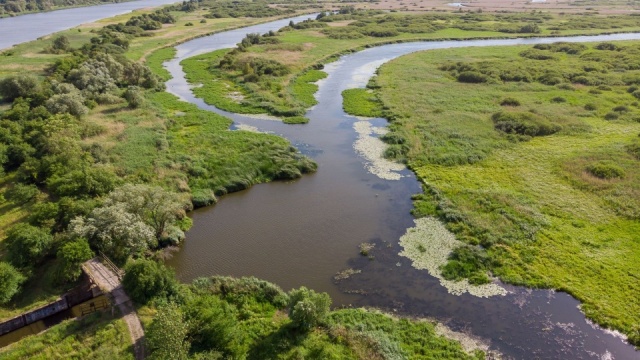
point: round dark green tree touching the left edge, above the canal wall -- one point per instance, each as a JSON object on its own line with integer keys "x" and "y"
{"x": 27, "y": 245}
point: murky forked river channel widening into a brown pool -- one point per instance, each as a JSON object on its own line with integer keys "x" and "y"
{"x": 303, "y": 232}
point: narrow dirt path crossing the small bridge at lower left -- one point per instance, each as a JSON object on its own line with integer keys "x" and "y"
{"x": 109, "y": 282}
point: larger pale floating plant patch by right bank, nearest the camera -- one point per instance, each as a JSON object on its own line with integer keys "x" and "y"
{"x": 428, "y": 245}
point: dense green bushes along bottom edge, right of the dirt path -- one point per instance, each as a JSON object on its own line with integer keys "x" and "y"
{"x": 222, "y": 317}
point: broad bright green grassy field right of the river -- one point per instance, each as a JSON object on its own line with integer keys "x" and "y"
{"x": 535, "y": 210}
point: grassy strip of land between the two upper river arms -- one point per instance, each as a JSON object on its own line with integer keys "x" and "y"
{"x": 267, "y": 73}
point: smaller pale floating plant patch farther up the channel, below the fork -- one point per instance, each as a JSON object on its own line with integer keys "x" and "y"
{"x": 371, "y": 148}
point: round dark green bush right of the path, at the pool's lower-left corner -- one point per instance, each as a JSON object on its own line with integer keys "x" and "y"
{"x": 146, "y": 279}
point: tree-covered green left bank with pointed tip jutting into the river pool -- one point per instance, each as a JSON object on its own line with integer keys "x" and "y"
{"x": 76, "y": 137}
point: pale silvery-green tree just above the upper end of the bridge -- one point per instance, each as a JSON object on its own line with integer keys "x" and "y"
{"x": 115, "y": 231}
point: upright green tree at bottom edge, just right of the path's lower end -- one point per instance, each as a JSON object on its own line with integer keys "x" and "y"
{"x": 166, "y": 336}
